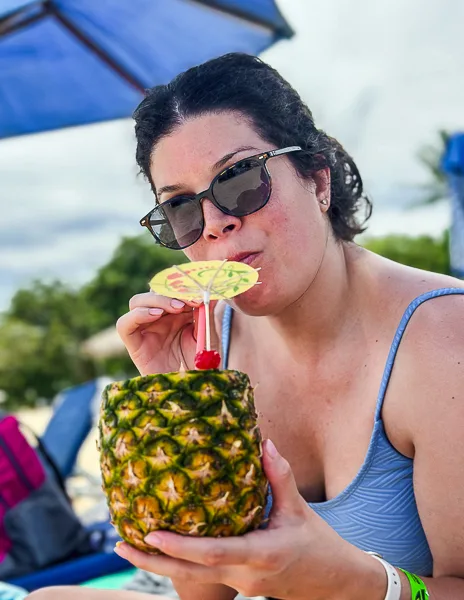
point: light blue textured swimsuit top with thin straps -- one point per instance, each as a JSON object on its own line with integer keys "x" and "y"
{"x": 377, "y": 511}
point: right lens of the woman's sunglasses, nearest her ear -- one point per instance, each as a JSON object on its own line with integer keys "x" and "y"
{"x": 243, "y": 189}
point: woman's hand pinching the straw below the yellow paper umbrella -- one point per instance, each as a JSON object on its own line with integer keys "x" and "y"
{"x": 157, "y": 331}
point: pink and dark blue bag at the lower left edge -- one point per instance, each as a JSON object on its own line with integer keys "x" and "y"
{"x": 38, "y": 526}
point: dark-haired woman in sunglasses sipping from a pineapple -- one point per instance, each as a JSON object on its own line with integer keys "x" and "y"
{"x": 369, "y": 420}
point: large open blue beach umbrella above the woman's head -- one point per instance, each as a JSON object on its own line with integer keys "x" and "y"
{"x": 71, "y": 62}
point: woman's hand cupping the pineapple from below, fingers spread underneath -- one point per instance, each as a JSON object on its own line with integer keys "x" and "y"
{"x": 299, "y": 556}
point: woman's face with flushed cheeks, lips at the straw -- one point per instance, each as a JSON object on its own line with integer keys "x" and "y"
{"x": 286, "y": 238}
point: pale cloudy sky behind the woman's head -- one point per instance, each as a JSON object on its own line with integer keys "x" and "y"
{"x": 383, "y": 77}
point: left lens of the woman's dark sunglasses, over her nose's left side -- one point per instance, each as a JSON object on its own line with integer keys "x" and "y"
{"x": 177, "y": 223}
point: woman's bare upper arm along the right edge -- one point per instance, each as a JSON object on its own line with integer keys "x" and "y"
{"x": 433, "y": 396}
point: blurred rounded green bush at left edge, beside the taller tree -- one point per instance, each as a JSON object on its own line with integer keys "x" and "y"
{"x": 40, "y": 338}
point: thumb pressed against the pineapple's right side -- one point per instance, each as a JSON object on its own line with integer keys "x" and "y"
{"x": 286, "y": 496}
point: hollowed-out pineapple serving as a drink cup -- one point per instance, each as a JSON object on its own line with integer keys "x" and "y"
{"x": 181, "y": 452}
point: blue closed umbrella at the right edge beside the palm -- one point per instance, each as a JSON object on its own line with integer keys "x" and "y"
{"x": 453, "y": 166}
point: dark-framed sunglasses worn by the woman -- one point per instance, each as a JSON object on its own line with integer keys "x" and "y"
{"x": 240, "y": 190}
